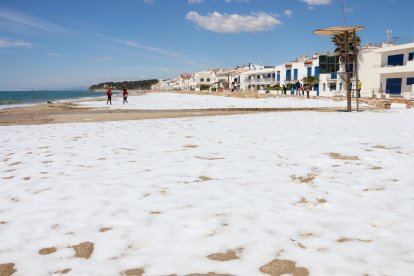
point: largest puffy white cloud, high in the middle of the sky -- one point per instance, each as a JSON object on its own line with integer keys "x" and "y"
{"x": 234, "y": 23}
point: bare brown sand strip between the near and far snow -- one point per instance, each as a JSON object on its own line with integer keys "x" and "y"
{"x": 69, "y": 113}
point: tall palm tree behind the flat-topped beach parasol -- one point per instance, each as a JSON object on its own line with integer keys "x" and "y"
{"x": 346, "y": 48}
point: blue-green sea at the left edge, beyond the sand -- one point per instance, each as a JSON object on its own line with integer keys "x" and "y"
{"x": 24, "y": 98}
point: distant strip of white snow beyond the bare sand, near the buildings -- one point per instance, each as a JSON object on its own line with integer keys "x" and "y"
{"x": 188, "y": 101}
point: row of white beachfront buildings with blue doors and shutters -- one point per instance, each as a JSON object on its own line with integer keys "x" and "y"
{"x": 383, "y": 69}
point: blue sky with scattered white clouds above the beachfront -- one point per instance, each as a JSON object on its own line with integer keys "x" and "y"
{"x": 61, "y": 44}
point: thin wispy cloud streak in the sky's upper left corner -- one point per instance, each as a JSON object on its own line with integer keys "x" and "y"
{"x": 29, "y": 21}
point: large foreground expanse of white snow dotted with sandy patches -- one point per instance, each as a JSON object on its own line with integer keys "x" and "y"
{"x": 332, "y": 192}
